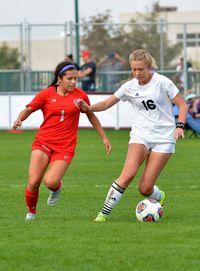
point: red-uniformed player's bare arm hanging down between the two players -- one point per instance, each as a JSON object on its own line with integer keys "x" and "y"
{"x": 97, "y": 125}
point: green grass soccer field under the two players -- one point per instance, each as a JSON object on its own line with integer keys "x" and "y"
{"x": 64, "y": 237}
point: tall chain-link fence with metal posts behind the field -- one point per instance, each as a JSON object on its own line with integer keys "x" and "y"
{"x": 42, "y": 46}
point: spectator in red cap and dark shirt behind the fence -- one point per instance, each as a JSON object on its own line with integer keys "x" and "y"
{"x": 87, "y": 72}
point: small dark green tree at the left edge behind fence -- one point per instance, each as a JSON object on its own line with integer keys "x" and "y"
{"x": 9, "y": 57}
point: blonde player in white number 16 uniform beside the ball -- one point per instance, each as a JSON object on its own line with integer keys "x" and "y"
{"x": 154, "y": 131}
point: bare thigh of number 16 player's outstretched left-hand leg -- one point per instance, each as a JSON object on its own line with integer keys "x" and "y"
{"x": 136, "y": 155}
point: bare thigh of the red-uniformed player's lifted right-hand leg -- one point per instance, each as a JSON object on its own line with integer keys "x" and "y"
{"x": 55, "y": 172}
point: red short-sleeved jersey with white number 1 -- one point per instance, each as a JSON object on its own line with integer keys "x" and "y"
{"x": 61, "y": 117}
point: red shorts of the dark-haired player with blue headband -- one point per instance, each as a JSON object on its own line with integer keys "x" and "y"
{"x": 52, "y": 154}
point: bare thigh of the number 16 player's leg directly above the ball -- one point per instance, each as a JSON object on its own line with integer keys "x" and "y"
{"x": 156, "y": 161}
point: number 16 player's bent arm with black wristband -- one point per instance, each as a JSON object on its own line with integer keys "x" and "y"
{"x": 183, "y": 109}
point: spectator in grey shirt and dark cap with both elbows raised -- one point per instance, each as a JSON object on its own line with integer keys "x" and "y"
{"x": 110, "y": 65}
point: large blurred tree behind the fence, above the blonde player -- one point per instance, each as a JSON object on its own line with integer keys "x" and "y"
{"x": 102, "y": 36}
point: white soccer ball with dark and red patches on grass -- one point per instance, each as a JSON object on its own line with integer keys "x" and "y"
{"x": 149, "y": 210}
